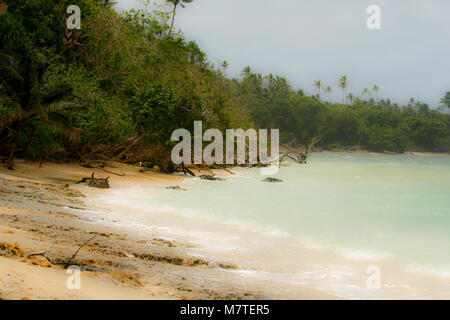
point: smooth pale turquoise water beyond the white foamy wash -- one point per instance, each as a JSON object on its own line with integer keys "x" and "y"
{"x": 381, "y": 205}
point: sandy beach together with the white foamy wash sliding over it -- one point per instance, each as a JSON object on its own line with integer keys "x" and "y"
{"x": 153, "y": 251}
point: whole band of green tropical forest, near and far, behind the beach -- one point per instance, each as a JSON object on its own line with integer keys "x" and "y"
{"x": 119, "y": 86}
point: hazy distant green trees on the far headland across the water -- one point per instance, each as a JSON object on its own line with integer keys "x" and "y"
{"x": 377, "y": 126}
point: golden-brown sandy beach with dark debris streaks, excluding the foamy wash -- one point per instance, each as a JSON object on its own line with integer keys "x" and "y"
{"x": 41, "y": 212}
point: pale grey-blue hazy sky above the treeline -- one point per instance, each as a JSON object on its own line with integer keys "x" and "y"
{"x": 324, "y": 39}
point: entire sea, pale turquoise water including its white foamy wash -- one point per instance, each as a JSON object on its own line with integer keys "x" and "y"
{"x": 324, "y": 226}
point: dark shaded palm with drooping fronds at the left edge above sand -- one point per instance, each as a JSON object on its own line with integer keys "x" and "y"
{"x": 22, "y": 86}
